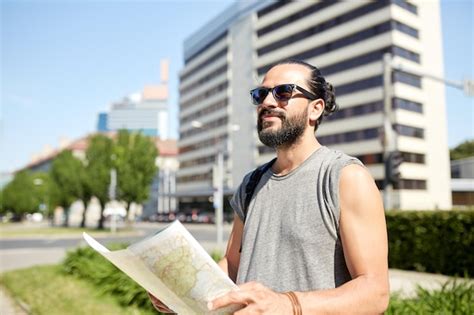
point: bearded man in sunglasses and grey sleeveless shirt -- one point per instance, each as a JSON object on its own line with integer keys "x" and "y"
{"x": 314, "y": 239}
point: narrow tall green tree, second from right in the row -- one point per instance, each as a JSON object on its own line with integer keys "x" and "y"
{"x": 99, "y": 163}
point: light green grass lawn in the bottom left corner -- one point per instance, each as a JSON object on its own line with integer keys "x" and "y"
{"x": 46, "y": 290}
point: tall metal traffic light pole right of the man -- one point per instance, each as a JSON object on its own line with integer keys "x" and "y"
{"x": 387, "y": 141}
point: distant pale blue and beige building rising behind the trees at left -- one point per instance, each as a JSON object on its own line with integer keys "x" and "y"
{"x": 146, "y": 111}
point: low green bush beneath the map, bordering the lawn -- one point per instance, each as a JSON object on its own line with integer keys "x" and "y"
{"x": 87, "y": 264}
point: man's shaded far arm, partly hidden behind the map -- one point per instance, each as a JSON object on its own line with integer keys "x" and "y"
{"x": 230, "y": 262}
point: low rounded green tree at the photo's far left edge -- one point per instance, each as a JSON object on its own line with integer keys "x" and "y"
{"x": 19, "y": 195}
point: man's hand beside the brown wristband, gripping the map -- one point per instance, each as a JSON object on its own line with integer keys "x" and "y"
{"x": 257, "y": 299}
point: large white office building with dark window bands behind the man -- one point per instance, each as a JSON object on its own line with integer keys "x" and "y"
{"x": 347, "y": 41}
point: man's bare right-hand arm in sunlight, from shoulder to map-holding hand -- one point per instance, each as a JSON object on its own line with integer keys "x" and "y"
{"x": 364, "y": 239}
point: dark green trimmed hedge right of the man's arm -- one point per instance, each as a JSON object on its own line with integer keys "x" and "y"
{"x": 432, "y": 241}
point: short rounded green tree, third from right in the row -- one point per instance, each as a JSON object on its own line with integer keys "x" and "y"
{"x": 67, "y": 173}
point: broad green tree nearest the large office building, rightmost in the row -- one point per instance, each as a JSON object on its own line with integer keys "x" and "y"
{"x": 135, "y": 163}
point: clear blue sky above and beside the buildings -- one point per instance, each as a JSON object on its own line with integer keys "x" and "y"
{"x": 62, "y": 62}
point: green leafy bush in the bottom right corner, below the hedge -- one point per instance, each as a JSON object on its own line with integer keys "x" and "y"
{"x": 453, "y": 298}
